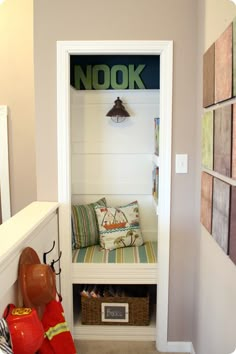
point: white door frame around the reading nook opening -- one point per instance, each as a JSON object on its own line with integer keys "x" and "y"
{"x": 165, "y": 50}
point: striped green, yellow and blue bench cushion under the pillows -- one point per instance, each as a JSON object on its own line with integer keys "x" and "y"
{"x": 147, "y": 253}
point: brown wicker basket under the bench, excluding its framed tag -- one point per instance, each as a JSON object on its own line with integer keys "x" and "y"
{"x": 138, "y": 310}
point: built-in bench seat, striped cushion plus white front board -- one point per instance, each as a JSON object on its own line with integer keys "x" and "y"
{"x": 129, "y": 265}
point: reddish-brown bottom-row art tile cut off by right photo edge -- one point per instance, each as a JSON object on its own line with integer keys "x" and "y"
{"x": 232, "y": 228}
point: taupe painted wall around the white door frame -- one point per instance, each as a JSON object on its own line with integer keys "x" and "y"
{"x": 151, "y": 19}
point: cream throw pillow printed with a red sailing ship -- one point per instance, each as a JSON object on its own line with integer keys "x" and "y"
{"x": 119, "y": 227}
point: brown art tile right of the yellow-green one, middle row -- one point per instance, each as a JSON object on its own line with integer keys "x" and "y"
{"x": 223, "y": 140}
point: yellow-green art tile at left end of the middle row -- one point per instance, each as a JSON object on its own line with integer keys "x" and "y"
{"x": 207, "y": 140}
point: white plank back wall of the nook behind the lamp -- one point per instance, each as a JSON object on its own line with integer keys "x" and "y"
{"x": 110, "y": 159}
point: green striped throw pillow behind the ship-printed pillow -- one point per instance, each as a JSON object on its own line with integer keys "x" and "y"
{"x": 85, "y": 230}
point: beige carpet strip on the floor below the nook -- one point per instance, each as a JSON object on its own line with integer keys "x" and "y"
{"x": 109, "y": 347}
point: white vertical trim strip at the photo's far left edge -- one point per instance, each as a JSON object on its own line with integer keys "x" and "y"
{"x": 4, "y": 166}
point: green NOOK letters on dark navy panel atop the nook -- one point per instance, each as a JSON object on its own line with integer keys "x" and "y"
{"x": 115, "y": 72}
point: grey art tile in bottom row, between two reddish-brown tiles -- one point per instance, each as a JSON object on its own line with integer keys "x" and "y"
{"x": 220, "y": 213}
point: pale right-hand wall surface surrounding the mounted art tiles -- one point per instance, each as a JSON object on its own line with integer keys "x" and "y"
{"x": 214, "y": 324}
